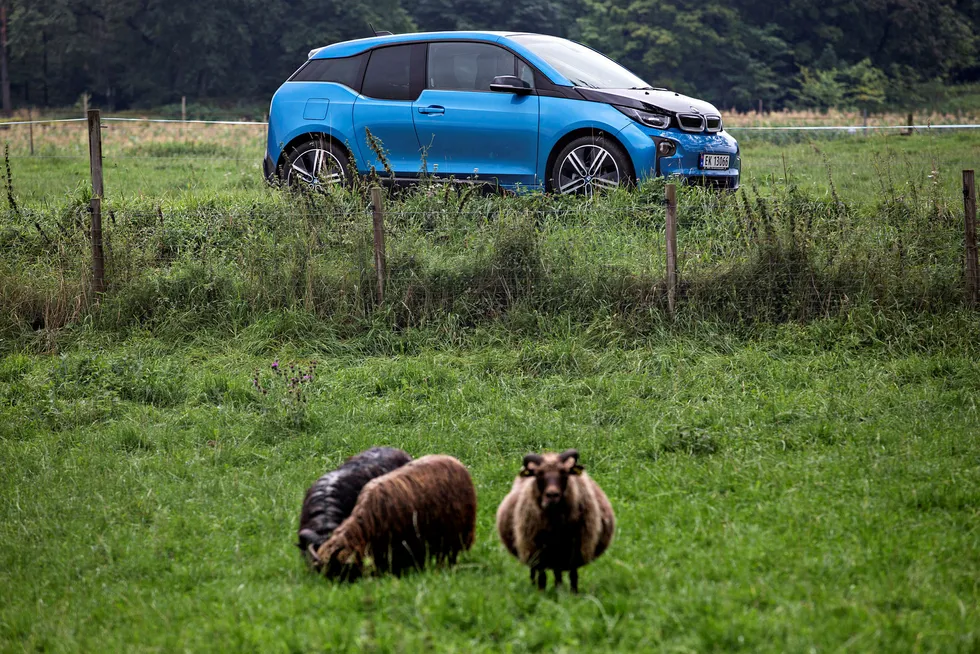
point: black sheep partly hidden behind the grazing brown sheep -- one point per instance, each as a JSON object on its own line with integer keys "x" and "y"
{"x": 332, "y": 497}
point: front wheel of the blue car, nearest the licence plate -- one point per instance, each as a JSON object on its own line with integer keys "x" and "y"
{"x": 590, "y": 164}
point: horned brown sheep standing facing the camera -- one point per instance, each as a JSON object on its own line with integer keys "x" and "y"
{"x": 555, "y": 517}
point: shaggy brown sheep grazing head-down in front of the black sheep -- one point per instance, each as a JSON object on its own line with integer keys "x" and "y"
{"x": 424, "y": 509}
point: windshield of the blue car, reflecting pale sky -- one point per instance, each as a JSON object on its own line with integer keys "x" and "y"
{"x": 581, "y": 65}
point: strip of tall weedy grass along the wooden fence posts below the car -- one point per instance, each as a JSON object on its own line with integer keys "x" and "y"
{"x": 767, "y": 255}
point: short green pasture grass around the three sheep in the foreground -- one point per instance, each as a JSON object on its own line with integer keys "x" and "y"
{"x": 811, "y": 488}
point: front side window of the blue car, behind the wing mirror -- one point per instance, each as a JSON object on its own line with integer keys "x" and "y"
{"x": 461, "y": 66}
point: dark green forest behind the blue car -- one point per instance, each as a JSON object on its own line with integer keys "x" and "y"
{"x": 869, "y": 55}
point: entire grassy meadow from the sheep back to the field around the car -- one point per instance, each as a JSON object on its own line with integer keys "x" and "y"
{"x": 793, "y": 457}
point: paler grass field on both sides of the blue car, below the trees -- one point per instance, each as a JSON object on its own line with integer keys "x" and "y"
{"x": 173, "y": 163}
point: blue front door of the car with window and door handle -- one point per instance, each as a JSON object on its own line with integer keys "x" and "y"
{"x": 466, "y": 129}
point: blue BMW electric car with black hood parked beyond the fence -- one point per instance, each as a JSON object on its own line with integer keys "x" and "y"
{"x": 509, "y": 109}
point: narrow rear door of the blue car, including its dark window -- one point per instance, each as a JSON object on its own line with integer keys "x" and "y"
{"x": 392, "y": 80}
